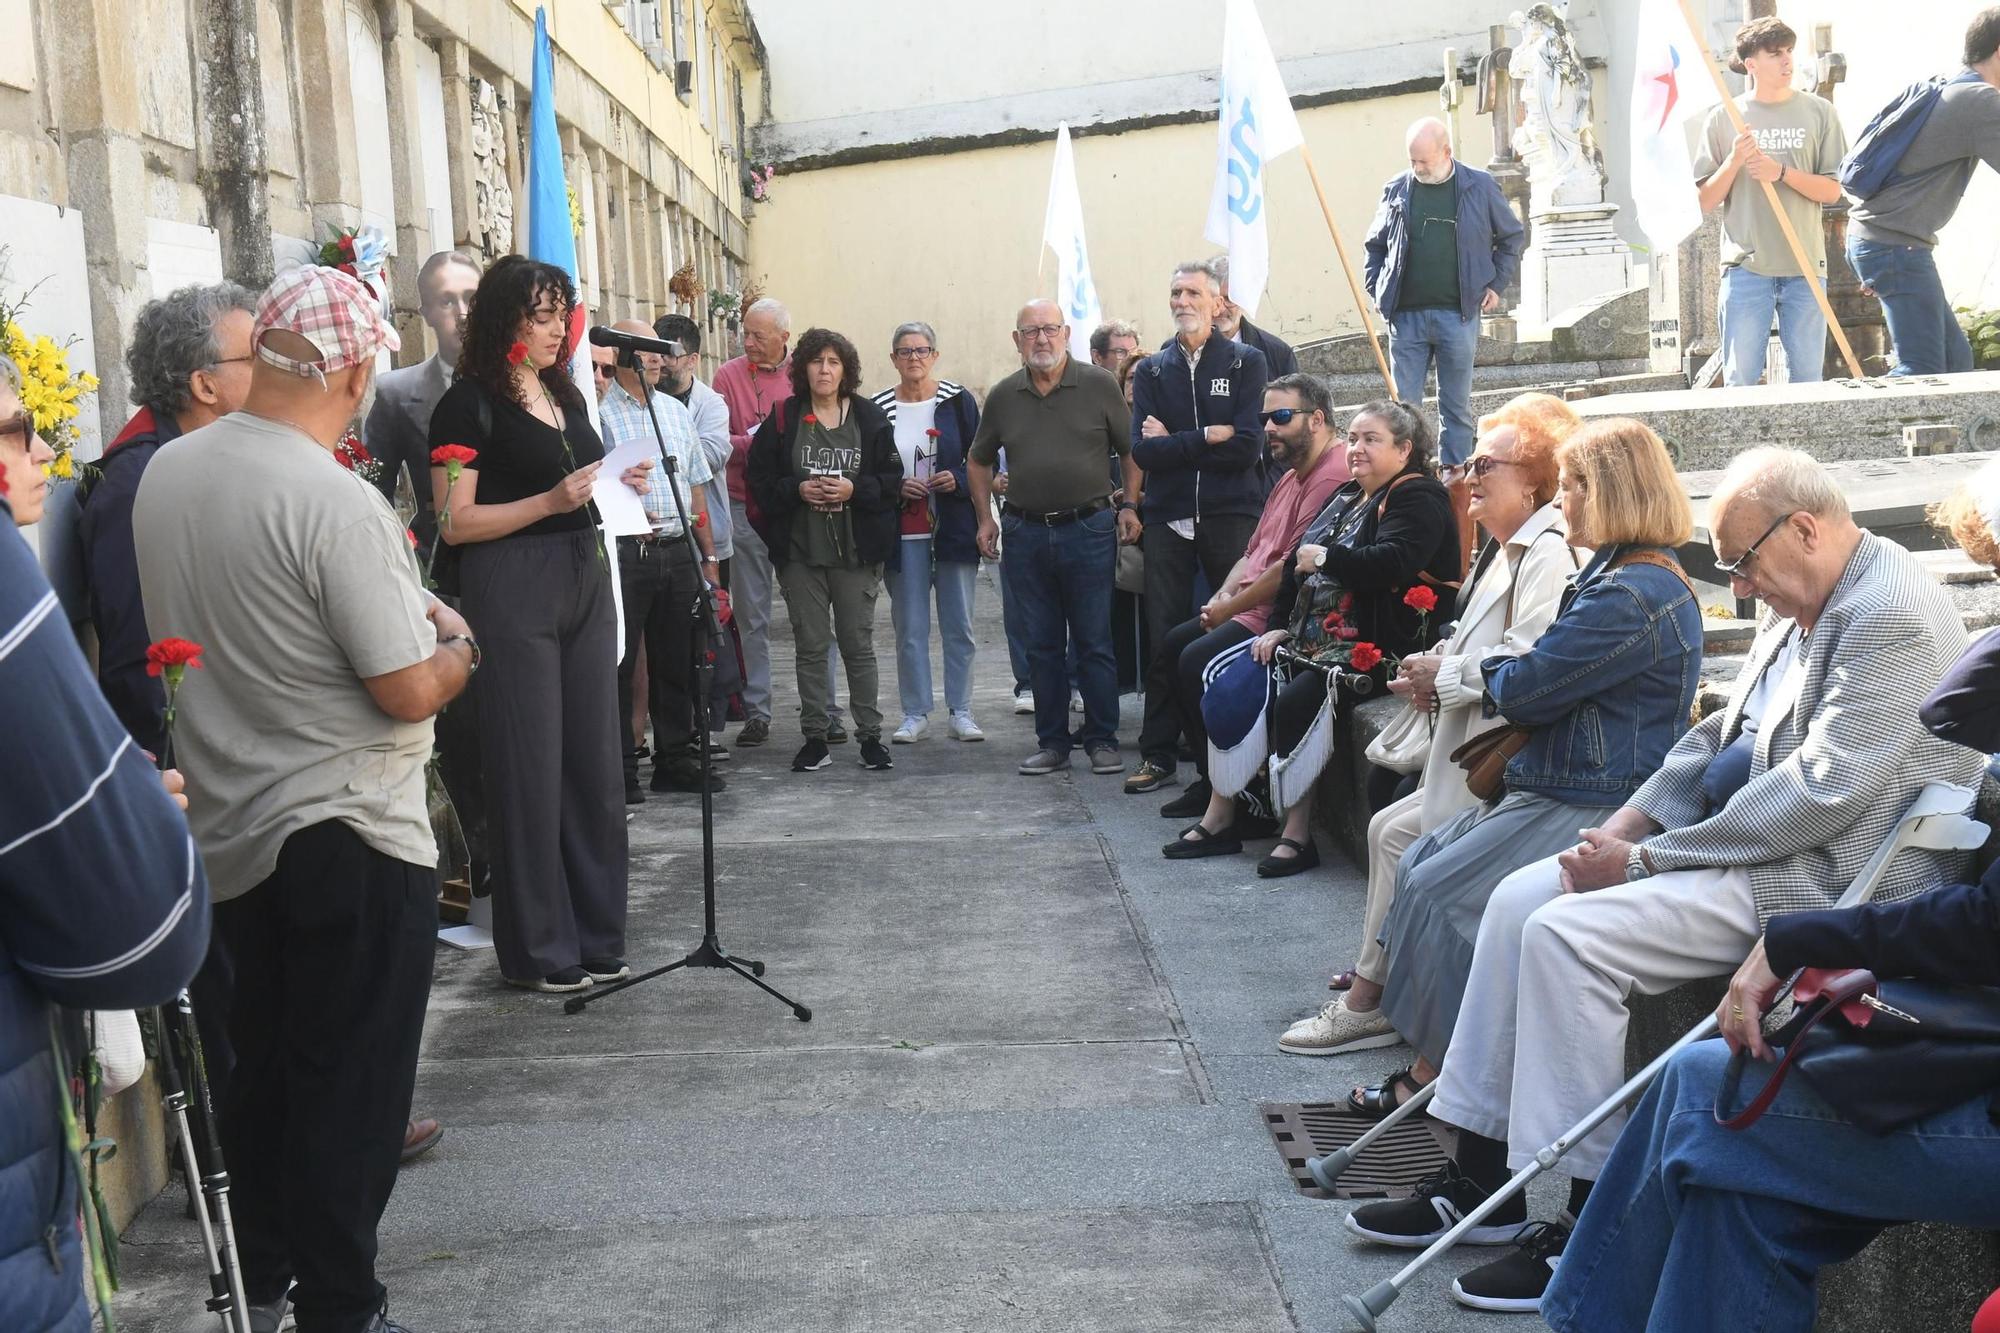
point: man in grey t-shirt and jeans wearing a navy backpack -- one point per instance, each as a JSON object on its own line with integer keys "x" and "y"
{"x": 1893, "y": 235}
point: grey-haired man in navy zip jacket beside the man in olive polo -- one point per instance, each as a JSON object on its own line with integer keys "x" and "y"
{"x": 1197, "y": 433}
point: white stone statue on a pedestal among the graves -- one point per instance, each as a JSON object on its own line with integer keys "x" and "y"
{"x": 1565, "y": 165}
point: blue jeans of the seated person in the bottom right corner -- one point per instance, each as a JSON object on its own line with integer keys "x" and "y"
{"x": 1673, "y": 1240}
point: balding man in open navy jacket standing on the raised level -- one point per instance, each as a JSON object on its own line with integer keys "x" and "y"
{"x": 1443, "y": 247}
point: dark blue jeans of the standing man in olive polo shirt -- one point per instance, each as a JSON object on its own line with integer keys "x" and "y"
{"x": 1059, "y": 589}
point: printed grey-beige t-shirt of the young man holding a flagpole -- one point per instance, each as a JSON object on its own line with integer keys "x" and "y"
{"x": 1801, "y": 133}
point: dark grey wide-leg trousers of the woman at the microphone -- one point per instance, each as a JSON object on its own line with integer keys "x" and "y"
{"x": 551, "y": 742}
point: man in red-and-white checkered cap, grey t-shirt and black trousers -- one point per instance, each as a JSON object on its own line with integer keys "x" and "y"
{"x": 305, "y": 744}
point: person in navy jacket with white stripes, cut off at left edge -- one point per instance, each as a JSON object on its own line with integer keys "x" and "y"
{"x": 103, "y": 906}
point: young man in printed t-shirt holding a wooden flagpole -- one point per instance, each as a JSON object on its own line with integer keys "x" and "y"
{"x": 1795, "y": 143}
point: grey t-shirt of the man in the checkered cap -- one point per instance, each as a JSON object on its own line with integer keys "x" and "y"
{"x": 299, "y": 581}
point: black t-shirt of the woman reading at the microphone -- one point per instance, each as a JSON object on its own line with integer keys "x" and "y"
{"x": 521, "y": 455}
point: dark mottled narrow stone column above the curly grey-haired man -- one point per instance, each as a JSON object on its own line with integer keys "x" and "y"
{"x": 231, "y": 149}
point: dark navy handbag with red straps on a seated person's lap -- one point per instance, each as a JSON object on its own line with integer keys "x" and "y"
{"x": 1881, "y": 1054}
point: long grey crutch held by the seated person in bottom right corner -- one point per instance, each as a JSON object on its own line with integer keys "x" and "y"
{"x": 1939, "y": 820}
